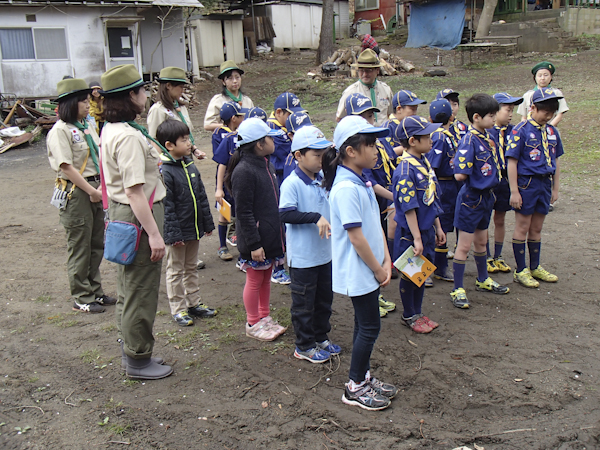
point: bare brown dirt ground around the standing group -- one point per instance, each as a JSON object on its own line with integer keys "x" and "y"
{"x": 519, "y": 371}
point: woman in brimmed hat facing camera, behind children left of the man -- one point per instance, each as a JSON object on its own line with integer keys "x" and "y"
{"x": 231, "y": 77}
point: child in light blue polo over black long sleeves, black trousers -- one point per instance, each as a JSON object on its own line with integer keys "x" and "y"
{"x": 304, "y": 207}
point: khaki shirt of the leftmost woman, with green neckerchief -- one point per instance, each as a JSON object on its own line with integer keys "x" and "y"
{"x": 67, "y": 145}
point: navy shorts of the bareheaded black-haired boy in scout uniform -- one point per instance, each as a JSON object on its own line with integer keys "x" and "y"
{"x": 473, "y": 209}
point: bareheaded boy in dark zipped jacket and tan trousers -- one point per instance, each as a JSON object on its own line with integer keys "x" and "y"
{"x": 187, "y": 219}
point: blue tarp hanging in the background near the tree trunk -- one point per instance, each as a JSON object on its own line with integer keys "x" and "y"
{"x": 436, "y": 24}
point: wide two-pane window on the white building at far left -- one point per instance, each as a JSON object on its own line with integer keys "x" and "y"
{"x": 33, "y": 43}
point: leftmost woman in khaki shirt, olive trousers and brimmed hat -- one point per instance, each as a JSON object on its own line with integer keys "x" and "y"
{"x": 73, "y": 153}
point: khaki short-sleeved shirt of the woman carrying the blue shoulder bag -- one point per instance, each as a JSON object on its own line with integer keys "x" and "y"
{"x": 128, "y": 159}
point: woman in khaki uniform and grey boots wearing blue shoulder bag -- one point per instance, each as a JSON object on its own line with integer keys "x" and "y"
{"x": 130, "y": 167}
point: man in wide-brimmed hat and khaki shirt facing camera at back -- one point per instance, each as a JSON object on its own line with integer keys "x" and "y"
{"x": 381, "y": 94}
